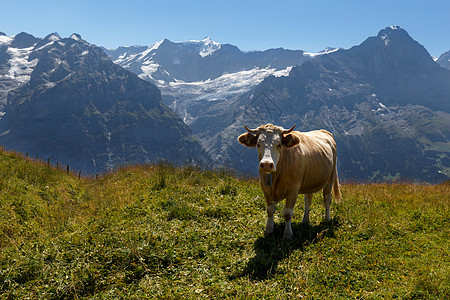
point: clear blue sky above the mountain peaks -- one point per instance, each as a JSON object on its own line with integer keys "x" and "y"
{"x": 251, "y": 25}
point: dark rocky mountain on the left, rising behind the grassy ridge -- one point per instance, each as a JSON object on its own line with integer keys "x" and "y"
{"x": 79, "y": 108}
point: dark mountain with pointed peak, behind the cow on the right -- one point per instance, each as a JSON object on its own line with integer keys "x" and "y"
{"x": 386, "y": 102}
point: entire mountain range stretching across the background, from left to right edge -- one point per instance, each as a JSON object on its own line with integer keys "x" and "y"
{"x": 386, "y": 102}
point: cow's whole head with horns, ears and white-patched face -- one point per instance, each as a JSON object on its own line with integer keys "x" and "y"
{"x": 269, "y": 140}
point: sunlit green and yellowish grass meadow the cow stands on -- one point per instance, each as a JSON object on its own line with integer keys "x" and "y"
{"x": 163, "y": 232}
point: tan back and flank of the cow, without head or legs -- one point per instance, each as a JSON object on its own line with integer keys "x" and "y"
{"x": 310, "y": 164}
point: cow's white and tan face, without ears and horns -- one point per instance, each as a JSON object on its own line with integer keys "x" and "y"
{"x": 269, "y": 150}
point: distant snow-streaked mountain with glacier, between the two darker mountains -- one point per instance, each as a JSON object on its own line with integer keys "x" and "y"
{"x": 192, "y": 74}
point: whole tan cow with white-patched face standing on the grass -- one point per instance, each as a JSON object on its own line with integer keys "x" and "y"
{"x": 292, "y": 163}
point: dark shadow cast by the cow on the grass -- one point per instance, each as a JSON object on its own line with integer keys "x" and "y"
{"x": 272, "y": 249}
